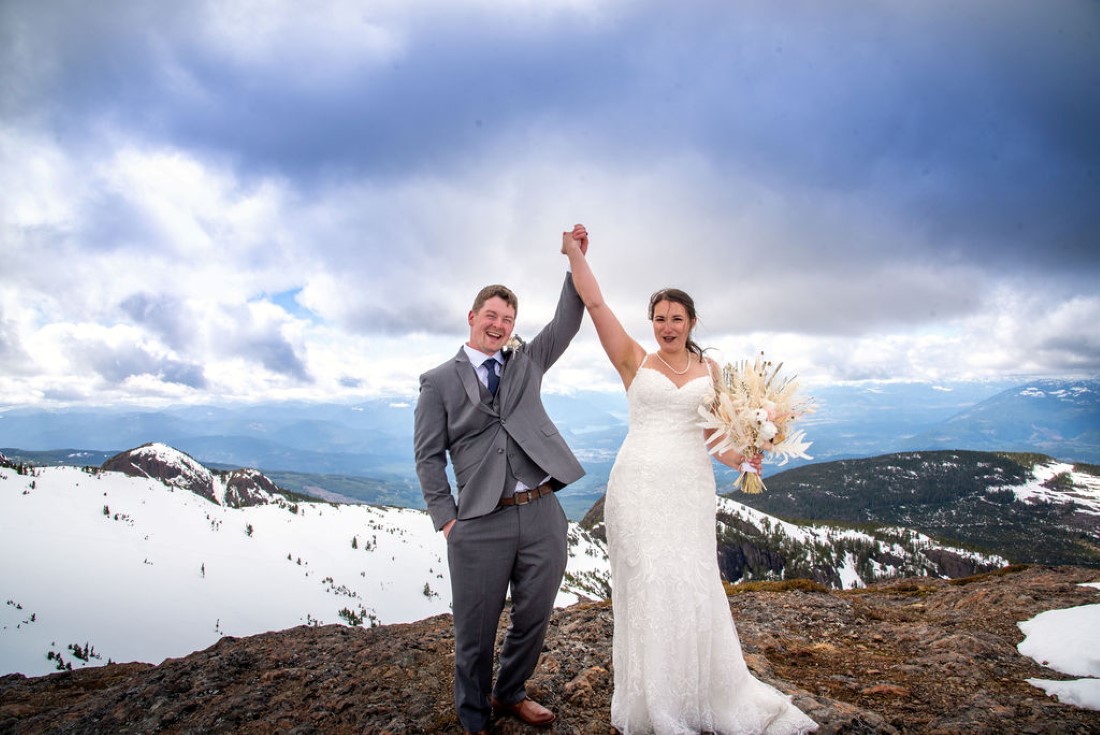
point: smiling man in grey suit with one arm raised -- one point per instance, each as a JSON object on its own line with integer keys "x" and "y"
{"x": 505, "y": 529}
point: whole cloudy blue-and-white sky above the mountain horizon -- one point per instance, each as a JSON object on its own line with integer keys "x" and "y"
{"x": 244, "y": 200}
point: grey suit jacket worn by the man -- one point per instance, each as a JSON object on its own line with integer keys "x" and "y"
{"x": 452, "y": 419}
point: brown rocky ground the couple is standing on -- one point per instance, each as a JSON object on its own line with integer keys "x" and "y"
{"x": 909, "y": 656}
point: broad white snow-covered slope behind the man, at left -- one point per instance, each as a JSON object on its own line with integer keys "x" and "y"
{"x": 103, "y": 566}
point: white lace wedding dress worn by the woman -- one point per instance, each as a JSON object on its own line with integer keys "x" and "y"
{"x": 677, "y": 659}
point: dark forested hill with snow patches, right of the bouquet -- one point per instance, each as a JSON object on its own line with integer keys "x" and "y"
{"x": 1029, "y": 509}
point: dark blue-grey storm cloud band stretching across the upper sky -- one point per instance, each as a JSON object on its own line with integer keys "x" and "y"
{"x": 975, "y": 124}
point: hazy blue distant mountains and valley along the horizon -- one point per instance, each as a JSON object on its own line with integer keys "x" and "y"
{"x": 364, "y": 452}
